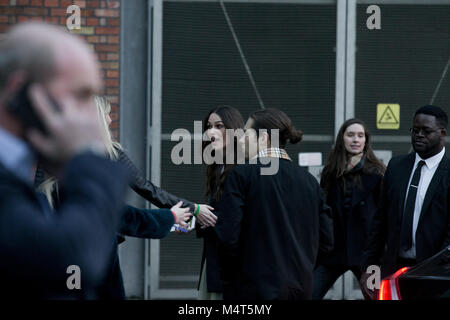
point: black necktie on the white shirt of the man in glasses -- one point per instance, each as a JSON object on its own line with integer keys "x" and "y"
{"x": 408, "y": 213}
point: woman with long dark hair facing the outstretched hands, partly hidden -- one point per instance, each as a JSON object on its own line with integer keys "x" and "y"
{"x": 215, "y": 125}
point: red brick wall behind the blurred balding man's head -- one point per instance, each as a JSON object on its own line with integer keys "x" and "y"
{"x": 100, "y": 26}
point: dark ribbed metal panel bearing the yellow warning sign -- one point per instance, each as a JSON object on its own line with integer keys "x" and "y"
{"x": 402, "y": 63}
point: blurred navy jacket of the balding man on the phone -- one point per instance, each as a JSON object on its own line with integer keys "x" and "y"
{"x": 37, "y": 247}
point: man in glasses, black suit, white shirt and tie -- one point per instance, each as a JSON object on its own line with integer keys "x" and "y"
{"x": 413, "y": 220}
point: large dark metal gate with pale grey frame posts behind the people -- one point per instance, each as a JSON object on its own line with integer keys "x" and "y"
{"x": 316, "y": 60}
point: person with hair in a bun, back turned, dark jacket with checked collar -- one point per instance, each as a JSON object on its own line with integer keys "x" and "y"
{"x": 271, "y": 226}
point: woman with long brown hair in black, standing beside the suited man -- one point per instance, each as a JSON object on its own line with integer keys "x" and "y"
{"x": 352, "y": 180}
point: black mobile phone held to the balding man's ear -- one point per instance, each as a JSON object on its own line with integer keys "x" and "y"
{"x": 20, "y": 106}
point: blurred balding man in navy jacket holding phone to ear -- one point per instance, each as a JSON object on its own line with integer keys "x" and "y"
{"x": 41, "y": 250}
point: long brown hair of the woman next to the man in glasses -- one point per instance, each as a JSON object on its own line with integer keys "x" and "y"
{"x": 338, "y": 159}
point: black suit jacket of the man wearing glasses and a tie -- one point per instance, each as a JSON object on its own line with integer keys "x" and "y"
{"x": 433, "y": 230}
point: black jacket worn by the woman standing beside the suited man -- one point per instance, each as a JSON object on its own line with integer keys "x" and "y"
{"x": 353, "y": 210}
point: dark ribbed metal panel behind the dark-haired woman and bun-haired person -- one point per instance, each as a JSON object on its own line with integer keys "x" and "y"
{"x": 290, "y": 50}
